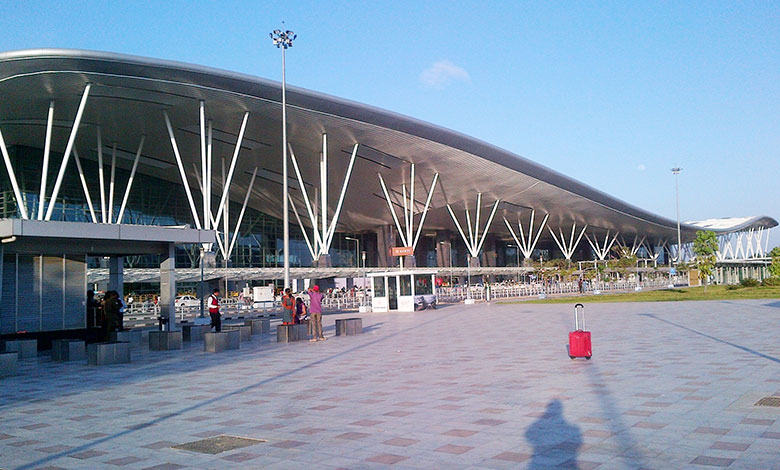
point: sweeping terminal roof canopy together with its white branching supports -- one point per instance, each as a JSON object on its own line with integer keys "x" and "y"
{"x": 373, "y": 158}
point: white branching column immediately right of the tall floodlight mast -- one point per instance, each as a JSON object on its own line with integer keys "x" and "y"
{"x": 322, "y": 231}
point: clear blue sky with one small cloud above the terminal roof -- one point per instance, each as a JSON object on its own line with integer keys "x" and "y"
{"x": 613, "y": 94}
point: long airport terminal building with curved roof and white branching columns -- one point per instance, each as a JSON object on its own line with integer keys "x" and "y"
{"x": 110, "y": 140}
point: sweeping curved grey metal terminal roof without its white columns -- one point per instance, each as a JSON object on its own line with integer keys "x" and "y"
{"x": 129, "y": 94}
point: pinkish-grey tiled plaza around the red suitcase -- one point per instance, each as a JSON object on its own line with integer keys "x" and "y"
{"x": 670, "y": 386}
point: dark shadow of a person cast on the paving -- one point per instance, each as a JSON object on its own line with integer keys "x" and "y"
{"x": 555, "y": 441}
